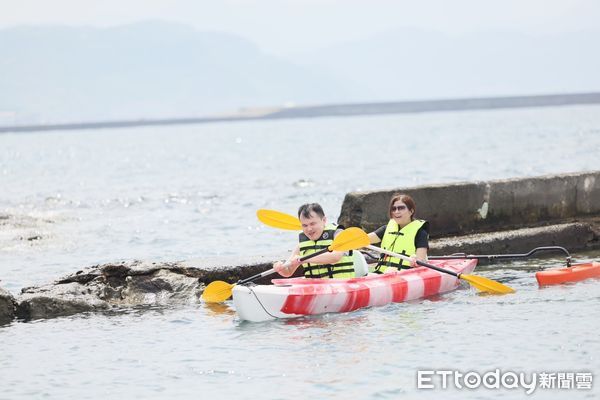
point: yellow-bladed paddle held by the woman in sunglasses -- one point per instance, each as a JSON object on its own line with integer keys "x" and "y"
{"x": 280, "y": 220}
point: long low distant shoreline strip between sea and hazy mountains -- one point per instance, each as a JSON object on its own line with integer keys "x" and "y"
{"x": 333, "y": 110}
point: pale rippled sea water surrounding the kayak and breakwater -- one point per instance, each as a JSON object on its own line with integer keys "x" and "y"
{"x": 74, "y": 199}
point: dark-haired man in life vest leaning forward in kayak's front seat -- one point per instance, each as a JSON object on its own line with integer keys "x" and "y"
{"x": 316, "y": 235}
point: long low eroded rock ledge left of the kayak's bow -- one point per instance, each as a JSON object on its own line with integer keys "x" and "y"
{"x": 128, "y": 284}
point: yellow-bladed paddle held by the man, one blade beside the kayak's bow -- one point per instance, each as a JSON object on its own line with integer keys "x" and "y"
{"x": 348, "y": 239}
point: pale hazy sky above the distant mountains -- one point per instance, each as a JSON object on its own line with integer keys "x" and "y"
{"x": 288, "y": 26}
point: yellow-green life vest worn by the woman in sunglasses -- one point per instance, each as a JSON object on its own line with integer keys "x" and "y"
{"x": 399, "y": 241}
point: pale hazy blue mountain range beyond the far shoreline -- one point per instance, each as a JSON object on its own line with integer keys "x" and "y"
{"x": 165, "y": 70}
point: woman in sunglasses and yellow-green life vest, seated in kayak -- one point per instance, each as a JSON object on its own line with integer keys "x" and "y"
{"x": 403, "y": 234}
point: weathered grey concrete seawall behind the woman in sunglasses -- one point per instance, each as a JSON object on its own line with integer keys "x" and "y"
{"x": 502, "y": 206}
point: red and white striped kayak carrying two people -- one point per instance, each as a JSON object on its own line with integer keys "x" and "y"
{"x": 296, "y": 297}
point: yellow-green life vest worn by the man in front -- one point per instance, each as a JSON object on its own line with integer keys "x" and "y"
{"x": 342, "y": 269}
